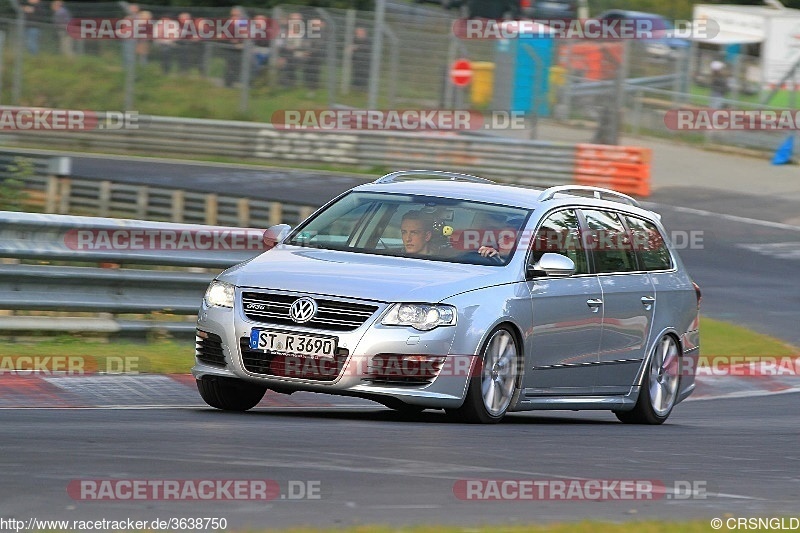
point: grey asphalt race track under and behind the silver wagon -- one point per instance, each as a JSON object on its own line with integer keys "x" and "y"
{"x": 374, "y": 465}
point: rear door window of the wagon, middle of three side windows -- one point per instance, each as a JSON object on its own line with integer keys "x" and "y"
{"x": 609, "y": 242}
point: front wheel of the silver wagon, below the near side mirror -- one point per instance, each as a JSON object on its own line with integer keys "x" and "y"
{"x": 491, "y": 388}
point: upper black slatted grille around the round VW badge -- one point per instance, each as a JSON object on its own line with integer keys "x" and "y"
{"x": 332, "y": 315}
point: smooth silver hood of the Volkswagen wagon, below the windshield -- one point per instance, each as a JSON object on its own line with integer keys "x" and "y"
{"x": 363, "y": 276}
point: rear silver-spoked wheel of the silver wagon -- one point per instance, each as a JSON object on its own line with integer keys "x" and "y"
{"x": 660, "y": 386}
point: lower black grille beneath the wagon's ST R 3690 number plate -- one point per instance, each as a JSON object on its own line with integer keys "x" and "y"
{"x": 259, "y": 362}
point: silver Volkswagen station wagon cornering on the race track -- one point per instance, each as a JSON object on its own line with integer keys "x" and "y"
{"x": 437, "y": 290}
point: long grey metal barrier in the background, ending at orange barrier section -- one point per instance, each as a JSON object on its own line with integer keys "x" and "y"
{"x": 534, "y": 163}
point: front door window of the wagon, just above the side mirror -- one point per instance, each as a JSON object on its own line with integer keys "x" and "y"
{"x": 560, "y": 233}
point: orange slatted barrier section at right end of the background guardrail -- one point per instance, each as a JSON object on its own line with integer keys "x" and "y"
{"x": 623, "y": 168}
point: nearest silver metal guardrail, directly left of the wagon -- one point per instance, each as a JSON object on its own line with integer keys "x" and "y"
{"x": 112, "y": 288}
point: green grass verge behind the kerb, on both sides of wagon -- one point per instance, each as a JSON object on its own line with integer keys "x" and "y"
{"x": 718, "y": 340}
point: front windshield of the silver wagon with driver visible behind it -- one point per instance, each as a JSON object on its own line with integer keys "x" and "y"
{"x": 424, "y": 227}
